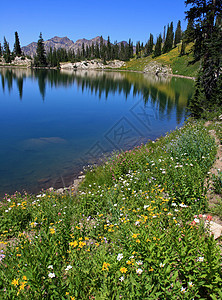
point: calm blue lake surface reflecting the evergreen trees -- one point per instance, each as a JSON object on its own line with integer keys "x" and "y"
{"x": 52, "y": 123}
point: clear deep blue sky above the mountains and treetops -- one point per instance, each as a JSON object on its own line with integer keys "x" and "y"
{"x": 120, "y": 19}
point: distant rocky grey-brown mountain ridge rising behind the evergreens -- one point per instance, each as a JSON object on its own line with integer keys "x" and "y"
{"x": 62, "y": 42}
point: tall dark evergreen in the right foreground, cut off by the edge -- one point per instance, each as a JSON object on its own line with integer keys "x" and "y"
{"x": 206, "y": 17}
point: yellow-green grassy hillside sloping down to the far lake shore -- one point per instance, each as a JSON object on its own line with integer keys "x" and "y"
{"x": 180, "y": 65}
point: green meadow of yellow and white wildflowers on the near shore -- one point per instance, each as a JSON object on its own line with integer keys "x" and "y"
{"x": 134, "y": 230}
